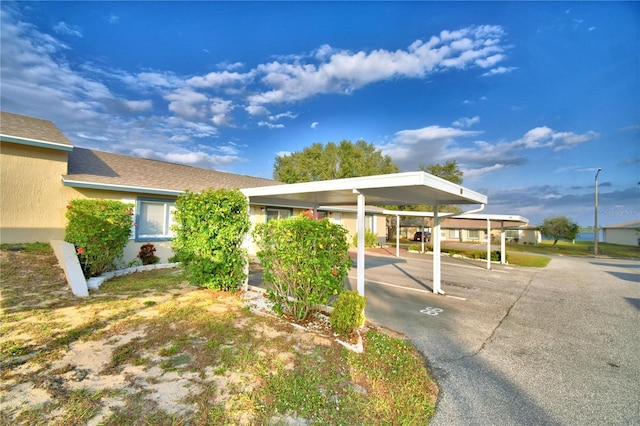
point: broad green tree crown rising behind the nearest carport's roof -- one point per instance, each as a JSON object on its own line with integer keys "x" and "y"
{"x": 324, "y": 162}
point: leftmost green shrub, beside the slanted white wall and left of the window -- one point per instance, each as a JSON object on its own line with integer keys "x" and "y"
{"x": 100, "y": 230}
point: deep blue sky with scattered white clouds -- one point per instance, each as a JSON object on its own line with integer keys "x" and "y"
{"x": 530, "y": 98}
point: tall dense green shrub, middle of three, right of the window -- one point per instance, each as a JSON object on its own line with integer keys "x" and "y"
{"x": 210, "y": 227}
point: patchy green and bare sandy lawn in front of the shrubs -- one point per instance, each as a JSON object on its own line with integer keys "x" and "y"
{"x": 147, "y": 348}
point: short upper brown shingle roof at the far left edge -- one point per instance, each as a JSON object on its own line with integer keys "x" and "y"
{"x": 36, "y": 129}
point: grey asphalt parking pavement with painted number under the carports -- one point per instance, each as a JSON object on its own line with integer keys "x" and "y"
{"x": 510, "y": 345}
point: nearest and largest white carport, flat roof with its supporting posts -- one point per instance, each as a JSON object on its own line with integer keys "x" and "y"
{"x": 412, "y": 188}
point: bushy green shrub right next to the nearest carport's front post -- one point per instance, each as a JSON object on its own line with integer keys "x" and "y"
{"x": 305, "y": 263}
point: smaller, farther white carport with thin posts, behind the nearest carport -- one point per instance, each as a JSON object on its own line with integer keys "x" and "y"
{"x": 493, "y": 221}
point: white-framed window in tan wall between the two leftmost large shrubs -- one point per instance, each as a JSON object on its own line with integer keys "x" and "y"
{"x": 155, "y": 218}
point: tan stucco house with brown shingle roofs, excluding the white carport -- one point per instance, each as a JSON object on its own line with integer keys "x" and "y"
{"x": 41, "y": 171}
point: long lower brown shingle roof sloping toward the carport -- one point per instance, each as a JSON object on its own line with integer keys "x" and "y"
{"x": 102, "y": 168}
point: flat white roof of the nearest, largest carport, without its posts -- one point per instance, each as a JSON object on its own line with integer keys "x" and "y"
{"x": 392, "y": 189}
